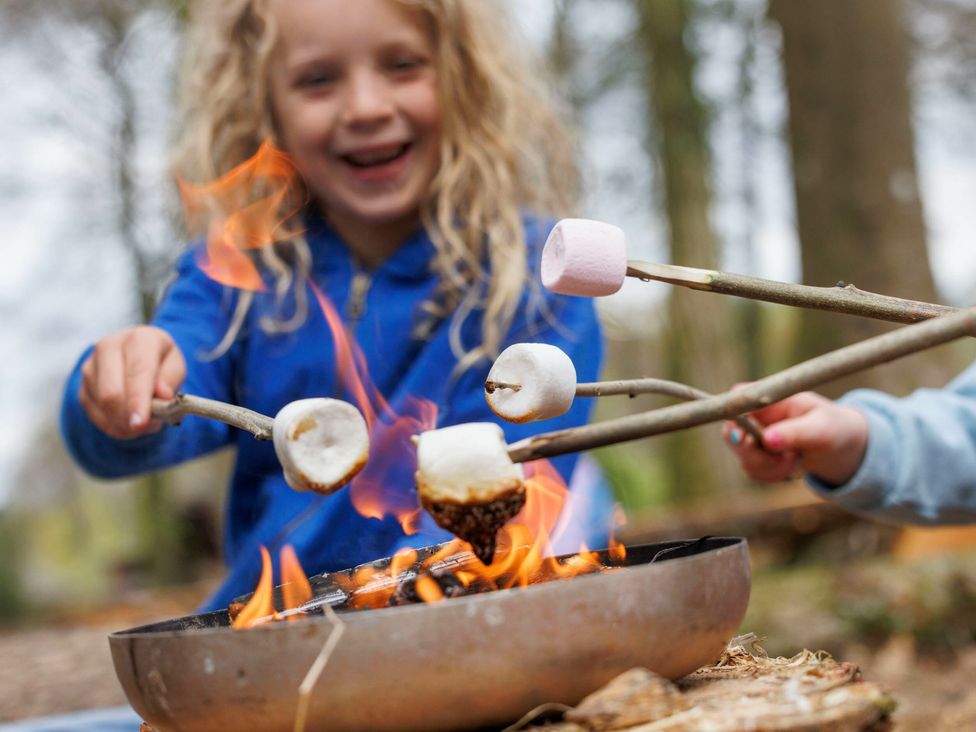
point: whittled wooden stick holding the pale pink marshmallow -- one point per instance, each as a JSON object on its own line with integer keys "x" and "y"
{"x": 842, "y": 298}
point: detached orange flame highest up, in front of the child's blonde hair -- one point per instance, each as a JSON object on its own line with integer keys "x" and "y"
{"x": 235, "y": 222}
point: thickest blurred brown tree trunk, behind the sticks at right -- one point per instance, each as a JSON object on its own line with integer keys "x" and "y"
{"x": 857, "y": 202}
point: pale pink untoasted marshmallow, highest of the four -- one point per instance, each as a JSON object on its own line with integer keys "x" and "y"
{"x": 584, "y": 257}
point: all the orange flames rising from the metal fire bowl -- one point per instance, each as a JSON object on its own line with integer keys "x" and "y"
{"x": 249, "y": 208}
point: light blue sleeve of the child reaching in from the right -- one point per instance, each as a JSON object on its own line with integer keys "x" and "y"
{"x": 920, "y": 463}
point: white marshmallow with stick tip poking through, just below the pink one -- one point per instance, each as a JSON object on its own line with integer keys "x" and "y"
{"x": 544, "y": 381}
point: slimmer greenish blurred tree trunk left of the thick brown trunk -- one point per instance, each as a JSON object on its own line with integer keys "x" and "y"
{"x": 700, "y": 345}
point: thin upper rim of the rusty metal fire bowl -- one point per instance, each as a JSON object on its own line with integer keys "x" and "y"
{"x": 369, "y": 615}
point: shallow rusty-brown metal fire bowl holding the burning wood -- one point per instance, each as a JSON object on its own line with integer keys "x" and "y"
{"x": 463, "y": 663}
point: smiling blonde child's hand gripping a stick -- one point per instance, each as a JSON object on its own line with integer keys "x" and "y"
{"x": 122, "y": 375}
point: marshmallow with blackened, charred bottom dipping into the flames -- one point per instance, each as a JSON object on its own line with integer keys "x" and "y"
{"x": 468, "y": 483}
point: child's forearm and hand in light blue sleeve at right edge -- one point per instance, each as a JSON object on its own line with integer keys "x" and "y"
{"x": 910, "y": 460}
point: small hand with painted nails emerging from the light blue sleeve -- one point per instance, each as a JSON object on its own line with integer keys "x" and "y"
{"x": 807, "y": 431}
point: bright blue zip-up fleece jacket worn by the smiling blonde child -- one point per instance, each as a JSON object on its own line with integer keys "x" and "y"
{"x": 264, "y": 371}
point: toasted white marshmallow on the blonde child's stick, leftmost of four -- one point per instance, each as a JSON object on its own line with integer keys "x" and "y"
{"x": 321, "y": 443}
